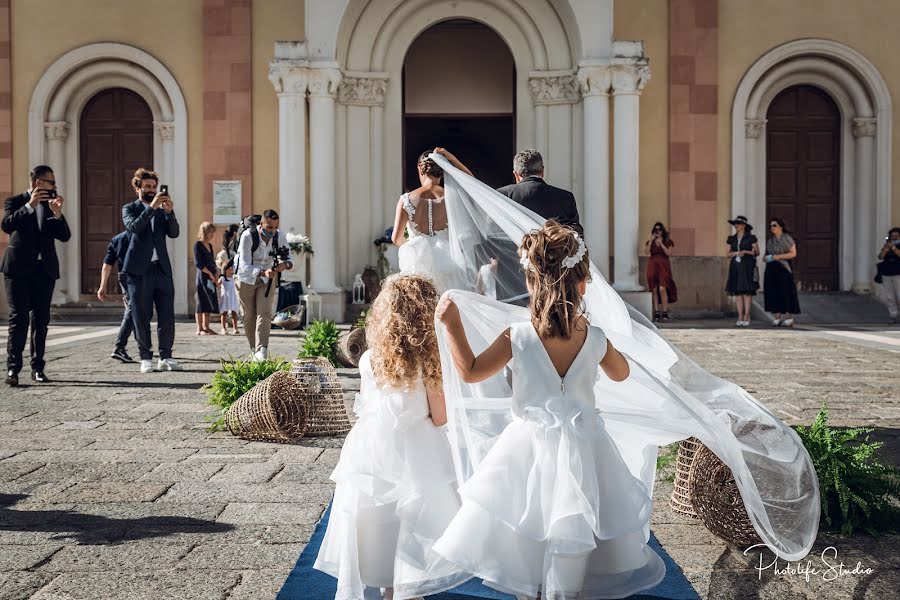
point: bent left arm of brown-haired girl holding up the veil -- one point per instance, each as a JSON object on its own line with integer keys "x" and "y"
{"x": 472, "y": 369}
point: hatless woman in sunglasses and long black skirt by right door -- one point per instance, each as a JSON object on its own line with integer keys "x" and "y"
{"x": 779, "y": 288}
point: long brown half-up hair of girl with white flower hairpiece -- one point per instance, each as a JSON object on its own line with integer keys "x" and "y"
{"x": 555, "y": 298}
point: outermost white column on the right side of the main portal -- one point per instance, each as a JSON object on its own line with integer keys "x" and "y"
{"x": 627, "y": 82}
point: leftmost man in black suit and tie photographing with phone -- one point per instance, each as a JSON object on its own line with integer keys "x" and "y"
{"x": 34, "y": 221}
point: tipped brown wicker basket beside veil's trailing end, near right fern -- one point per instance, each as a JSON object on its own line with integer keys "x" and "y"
{"x": 717, "y": 500}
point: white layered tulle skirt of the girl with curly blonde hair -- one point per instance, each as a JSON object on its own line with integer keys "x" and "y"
{"x": 395, "y": 495}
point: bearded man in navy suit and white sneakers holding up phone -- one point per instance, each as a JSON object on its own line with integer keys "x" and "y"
{"x": 150, "y": 220}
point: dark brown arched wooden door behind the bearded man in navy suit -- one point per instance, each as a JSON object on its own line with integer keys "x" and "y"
{"x": 116, "y": 137}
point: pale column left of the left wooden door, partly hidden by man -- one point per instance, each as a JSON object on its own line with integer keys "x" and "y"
{"x": 68, "y": 286}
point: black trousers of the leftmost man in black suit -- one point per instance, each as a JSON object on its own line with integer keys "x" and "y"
{"x": 29, "y": 302}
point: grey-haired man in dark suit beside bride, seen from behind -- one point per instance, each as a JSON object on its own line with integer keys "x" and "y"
{"x": 532, "y": 192}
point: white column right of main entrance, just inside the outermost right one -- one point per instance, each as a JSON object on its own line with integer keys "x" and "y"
{"x": 595, "y": 83}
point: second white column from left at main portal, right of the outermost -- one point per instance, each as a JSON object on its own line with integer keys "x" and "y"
{"x": 323, "y": 84}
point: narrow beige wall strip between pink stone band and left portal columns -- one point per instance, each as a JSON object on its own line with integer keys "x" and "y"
{"x": 273, "y": 20}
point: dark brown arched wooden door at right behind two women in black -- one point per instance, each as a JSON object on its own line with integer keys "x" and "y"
{"x": 803, "y": 135}
